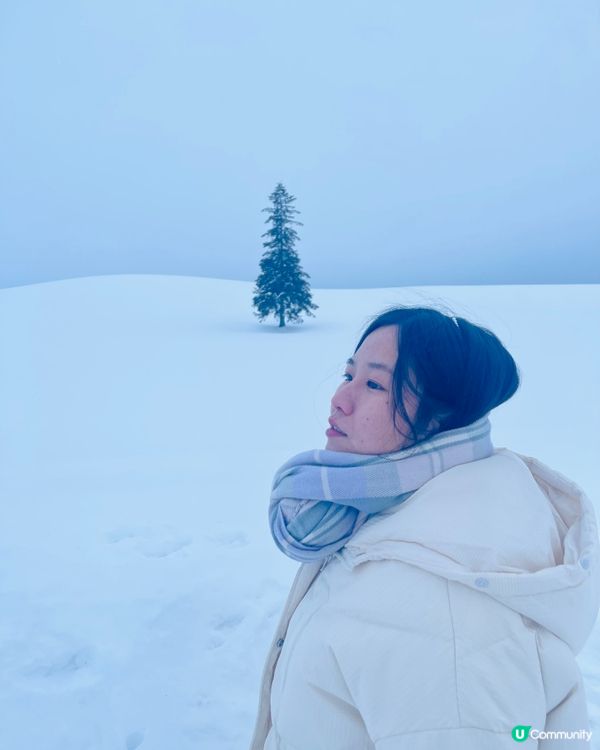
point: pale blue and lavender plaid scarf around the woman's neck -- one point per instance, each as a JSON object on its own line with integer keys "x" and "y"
{"x": 321, "y": 498}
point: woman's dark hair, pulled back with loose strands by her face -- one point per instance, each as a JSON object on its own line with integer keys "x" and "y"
{"x": 462, "y": 370}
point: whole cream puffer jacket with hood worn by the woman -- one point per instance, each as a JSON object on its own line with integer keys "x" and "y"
{"x": 444, "y": 623}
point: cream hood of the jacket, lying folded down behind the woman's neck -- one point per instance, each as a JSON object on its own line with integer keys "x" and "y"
{"x": 506, "y": 525}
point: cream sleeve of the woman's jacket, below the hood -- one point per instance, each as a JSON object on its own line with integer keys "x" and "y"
{"x": 432, "y": 664}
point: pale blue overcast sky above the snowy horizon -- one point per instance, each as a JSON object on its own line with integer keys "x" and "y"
{"x": 426, "y": 142}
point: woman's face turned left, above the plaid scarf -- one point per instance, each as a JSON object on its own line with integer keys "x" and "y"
{"x": 362, "y": 405}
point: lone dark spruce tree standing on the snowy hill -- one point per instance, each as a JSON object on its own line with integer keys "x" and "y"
{"x": 281, "y": 287}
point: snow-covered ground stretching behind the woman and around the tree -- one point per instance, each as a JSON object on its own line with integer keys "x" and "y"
{"x": 142, "y": 420}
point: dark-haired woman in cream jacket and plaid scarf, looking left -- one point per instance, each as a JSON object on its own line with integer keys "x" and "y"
{"x": 446, "y": 585}
